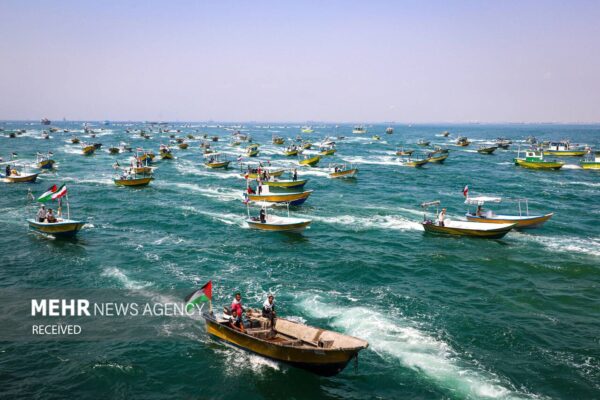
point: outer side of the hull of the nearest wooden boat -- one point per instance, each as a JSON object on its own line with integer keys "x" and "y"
{"x": 319, "y": 361}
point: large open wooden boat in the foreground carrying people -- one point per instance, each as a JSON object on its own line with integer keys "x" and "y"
{"x": 317, "y": 350}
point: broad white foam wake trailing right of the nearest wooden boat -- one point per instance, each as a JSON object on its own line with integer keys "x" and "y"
{"x": 413, "y": 348}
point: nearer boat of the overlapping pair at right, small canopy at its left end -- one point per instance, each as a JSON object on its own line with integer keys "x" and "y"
{"x": 464, "y": 228}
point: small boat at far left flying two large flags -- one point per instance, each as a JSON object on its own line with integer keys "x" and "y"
{"x": 62, "y": 227}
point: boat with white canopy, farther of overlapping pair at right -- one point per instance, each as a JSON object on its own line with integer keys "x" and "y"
{"x": 521, "y": 221}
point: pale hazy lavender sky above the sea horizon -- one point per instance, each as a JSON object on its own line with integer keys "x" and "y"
{"x": 405, "y": 61}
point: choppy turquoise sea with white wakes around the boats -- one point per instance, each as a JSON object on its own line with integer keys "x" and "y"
{"x": 451, "y": 318}
